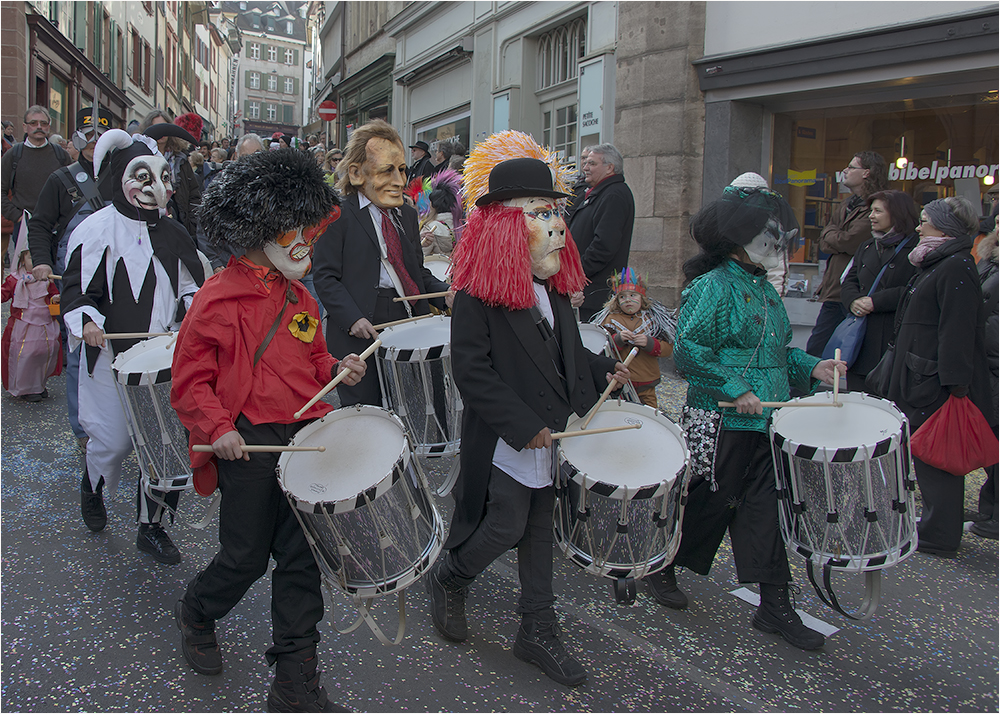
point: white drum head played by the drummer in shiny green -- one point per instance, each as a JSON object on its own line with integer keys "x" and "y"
{"x": 863, "y": 420}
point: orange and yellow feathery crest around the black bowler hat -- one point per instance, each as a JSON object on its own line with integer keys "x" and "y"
{"x": 499, "y": 147}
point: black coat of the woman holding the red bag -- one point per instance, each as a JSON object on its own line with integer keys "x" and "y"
{"x": 940, "y": 342}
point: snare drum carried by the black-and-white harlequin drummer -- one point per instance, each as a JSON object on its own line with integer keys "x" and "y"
{"x": 142, "y": 374}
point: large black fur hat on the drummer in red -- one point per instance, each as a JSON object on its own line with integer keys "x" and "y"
{"x": 262, "y": 195}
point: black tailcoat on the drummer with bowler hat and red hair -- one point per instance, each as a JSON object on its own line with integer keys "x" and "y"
{"x": 510, "y": 390}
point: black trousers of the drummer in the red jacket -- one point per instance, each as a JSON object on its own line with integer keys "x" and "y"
{"x": 255, "y": 523}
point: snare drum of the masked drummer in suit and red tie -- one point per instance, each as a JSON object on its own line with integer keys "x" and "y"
{"x": 414, "y": 369}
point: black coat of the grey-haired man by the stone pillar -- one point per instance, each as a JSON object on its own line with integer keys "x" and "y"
{"x": 602, "y": 229}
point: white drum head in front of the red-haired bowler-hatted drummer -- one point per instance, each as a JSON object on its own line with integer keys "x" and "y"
{"x": 629, "y": 459}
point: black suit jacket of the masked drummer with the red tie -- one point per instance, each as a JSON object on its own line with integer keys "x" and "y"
{"x": 346, "y": 268}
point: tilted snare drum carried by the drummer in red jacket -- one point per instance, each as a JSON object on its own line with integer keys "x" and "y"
{"x": 364, "y": 504}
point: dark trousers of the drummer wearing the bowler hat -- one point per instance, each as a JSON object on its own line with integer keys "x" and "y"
{"x": 515, "y": 516}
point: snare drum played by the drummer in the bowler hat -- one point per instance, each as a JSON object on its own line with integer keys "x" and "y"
{"x": 610, "y": 518}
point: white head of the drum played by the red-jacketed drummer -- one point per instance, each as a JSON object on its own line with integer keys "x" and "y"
{"x": 363, "y": 447}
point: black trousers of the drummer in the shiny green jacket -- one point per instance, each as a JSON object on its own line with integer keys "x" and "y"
{"x": 746, "y": 503}
